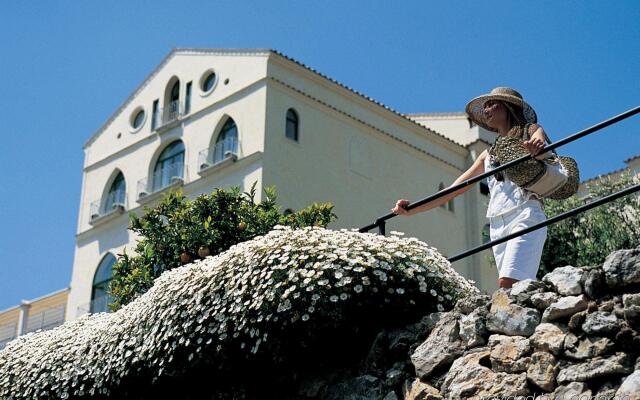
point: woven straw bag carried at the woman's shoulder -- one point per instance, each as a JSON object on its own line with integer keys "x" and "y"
{"x": 555, "y": 177}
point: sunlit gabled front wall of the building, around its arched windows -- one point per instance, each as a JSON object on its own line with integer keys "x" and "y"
{"x": 134, "y": 154}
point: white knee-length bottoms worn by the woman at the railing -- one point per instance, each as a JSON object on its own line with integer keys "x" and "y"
{"x": 519, "y": 258}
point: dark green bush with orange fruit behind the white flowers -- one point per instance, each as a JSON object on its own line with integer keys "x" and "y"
{"x": 214, "y": 222}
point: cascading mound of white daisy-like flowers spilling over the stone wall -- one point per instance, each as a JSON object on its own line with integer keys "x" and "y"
{"x": 235, "y": 305}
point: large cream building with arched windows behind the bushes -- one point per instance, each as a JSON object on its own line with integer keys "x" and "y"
{"x": 209, "y": 118}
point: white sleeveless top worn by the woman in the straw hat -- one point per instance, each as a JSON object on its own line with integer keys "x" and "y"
{"x": 504, "y": 196}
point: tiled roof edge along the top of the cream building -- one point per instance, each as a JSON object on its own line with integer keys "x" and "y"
{"x": 251, "y": 51}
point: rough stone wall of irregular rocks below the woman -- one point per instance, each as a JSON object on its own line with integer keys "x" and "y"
{"x": 574, "y": 334}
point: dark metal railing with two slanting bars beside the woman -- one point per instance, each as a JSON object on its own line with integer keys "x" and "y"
{"x": 380, "y": 221}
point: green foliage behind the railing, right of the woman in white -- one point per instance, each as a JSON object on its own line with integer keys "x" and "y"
{"x": 587, "y": 238}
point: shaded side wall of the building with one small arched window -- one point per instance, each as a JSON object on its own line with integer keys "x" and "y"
{"x": 352, "y": 155}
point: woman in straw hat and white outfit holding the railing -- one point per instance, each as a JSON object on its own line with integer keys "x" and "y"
{"x": 511, "y": 208}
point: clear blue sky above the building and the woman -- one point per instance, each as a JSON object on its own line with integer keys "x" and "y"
{"x": 66, "y": 66}
